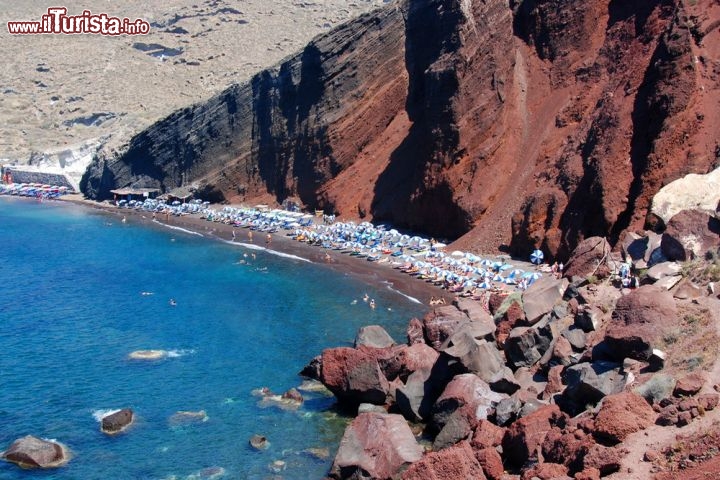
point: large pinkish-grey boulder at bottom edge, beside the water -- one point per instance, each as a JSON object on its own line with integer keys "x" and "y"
{"x": 375, "y": 445}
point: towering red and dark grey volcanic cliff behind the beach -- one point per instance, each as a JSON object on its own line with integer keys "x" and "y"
{"x": 537, "y": 123}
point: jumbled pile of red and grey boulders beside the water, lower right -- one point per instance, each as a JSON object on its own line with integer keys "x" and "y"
{"x": 562, "y": 381}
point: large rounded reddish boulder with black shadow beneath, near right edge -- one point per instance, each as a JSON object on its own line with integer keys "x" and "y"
{"x": 639, "y": 322}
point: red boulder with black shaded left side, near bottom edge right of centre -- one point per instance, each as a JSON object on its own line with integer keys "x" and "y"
{"x": 524, "y": 438}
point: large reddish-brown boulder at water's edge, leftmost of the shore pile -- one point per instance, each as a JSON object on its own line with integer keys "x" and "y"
{"x": 354, "y": 375}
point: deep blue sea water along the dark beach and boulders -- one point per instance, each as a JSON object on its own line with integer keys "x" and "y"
{"x": 71, "y": 311}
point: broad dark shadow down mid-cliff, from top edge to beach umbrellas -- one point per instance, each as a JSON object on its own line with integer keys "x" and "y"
{"x": 411, "y": 192}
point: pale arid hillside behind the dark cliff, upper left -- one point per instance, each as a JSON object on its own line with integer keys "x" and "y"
{"x": 50, "y": 85}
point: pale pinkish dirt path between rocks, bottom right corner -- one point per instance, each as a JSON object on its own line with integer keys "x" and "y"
{"x": 656, "y": 437}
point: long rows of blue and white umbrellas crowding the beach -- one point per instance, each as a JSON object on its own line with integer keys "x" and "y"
{"x": 453, "y": 273}
